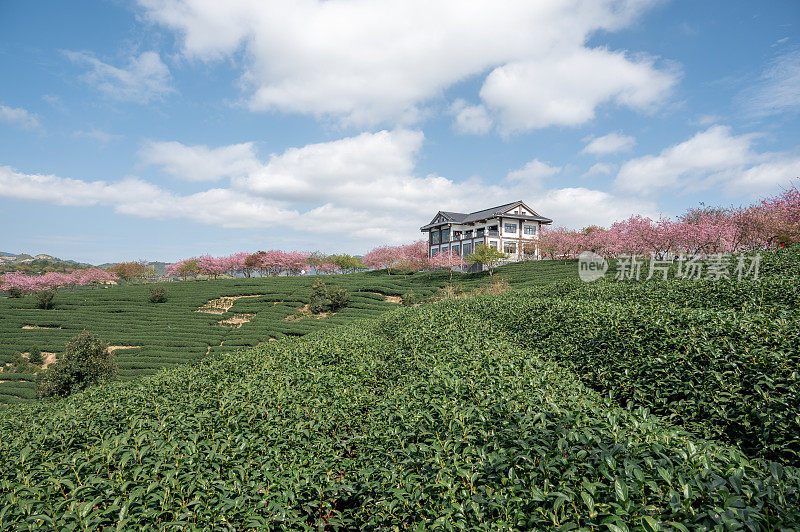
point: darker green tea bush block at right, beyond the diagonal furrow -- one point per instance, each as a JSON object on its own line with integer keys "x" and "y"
{"x": 721, "y": 374}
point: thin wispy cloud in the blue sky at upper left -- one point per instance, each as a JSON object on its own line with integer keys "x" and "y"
{"x": 146, "y": 78}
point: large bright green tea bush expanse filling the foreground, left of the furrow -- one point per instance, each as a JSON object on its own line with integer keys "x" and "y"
{"x": 425, "y": 419}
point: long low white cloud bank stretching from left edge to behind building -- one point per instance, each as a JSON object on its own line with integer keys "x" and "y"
{"x": 362, "y": 187}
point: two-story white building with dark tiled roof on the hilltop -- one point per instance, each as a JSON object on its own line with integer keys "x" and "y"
{"x": 512, "y": 228}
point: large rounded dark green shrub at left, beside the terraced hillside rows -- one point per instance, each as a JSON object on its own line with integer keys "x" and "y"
{"x": 86, "y": 362}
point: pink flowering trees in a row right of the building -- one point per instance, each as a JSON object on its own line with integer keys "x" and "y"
{"x": 771, "y": 223}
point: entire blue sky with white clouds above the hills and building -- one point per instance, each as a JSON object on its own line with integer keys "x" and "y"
{"x": 161, "y": 129}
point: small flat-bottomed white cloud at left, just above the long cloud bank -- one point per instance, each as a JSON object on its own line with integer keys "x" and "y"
{"x": 200, "y": 163}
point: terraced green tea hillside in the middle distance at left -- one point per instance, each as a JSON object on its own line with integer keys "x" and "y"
{"x": 174, "y": 332}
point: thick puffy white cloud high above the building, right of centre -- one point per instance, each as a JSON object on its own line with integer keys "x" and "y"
{"x": 565, "y": 89}
